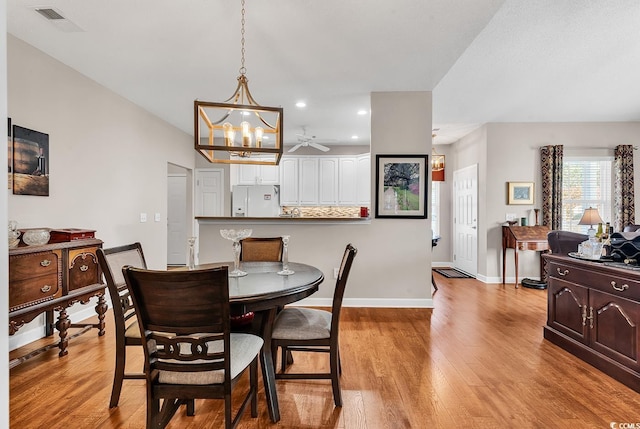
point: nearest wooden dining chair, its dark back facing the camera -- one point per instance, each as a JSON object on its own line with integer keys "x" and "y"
{"x": 190, "y": 352}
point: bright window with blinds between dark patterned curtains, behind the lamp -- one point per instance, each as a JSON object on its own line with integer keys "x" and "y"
{"x": 586, "y": 182}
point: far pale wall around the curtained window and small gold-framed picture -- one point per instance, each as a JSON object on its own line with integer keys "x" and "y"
{"x": 511, "y": 152}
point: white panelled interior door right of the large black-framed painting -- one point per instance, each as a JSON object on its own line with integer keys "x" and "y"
{"x": 465, "y": 222}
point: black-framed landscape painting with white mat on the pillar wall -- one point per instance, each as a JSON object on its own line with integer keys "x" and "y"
{"x": 401, "y": 186}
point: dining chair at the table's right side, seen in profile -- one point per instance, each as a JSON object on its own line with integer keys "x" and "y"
{"x": 313, "y": 330}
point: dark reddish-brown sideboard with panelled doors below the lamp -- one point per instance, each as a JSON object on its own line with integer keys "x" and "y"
{"x": 593, "y": 312}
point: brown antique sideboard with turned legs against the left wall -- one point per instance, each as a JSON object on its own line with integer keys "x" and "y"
{"x": 53, "y": 277}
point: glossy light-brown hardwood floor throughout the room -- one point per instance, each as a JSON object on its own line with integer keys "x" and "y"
{"x": 477, "y": 360}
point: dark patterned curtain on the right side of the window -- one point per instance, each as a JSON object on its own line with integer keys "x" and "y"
{"x": 623, "y": 205}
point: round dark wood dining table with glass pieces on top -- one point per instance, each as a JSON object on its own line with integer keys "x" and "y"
{"x": 262, "y": 291}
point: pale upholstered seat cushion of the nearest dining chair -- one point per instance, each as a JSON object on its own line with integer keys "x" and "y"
{"x": 244, "y": 348}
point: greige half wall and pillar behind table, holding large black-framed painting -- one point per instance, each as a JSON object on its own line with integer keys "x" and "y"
{"x": 393, "y": 265}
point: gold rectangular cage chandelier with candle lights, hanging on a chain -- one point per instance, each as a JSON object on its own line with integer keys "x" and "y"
{"x": 238, "y": 130}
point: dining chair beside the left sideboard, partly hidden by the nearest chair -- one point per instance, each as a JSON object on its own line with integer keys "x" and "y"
{"x": 126, "y": 329}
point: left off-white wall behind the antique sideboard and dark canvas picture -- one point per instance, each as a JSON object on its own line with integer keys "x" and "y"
{"x": 108, "y": 159}
